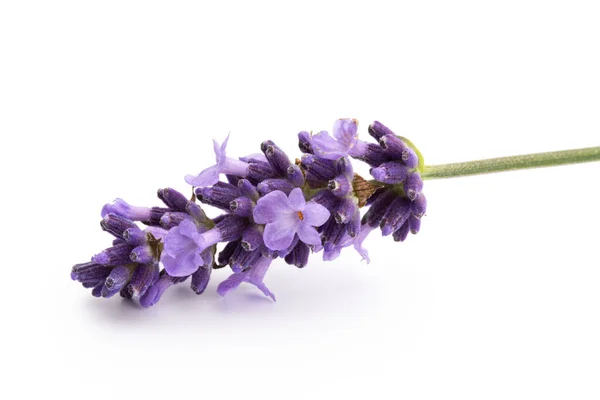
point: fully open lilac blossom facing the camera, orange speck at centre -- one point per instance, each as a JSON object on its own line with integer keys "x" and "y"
{"x": 287, "y": 216}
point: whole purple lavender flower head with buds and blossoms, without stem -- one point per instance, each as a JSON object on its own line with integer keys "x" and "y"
{"x": 271, "y": 208}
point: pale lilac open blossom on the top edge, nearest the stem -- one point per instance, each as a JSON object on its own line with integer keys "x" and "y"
{"x": 344, "y": 141}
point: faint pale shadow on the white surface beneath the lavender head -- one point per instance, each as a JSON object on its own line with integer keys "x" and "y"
{"x": 324, "y": 290}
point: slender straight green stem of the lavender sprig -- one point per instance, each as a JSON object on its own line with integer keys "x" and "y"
{"x": 511, "y": 163}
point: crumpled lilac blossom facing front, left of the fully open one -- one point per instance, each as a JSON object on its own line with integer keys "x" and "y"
{"x": 184, "y": 244}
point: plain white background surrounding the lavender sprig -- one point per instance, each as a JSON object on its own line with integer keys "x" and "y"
{"x": 498, "y": 296}
